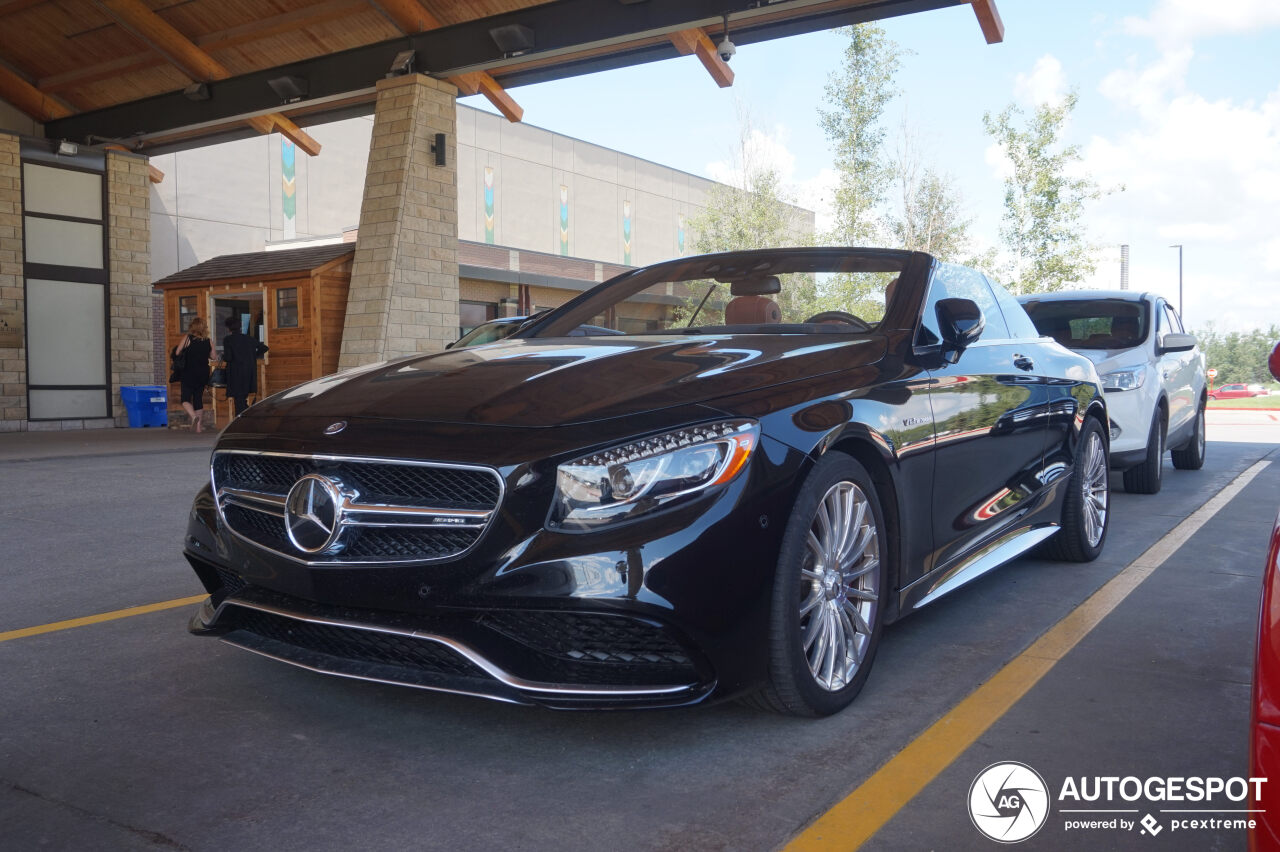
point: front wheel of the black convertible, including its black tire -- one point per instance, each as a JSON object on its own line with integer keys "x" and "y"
{"x": 830, "y": 593}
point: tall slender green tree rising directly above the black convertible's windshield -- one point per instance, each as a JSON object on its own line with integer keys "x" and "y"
{"x": 858, "y": 95}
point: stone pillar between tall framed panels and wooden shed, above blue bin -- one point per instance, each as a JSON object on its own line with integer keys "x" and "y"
{"x": 129, "y": 219}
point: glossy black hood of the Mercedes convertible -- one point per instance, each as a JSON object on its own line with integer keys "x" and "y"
{"x": 564, "y": 382}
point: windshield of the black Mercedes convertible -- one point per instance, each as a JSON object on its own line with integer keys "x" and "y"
{"x": 784, "y": 292}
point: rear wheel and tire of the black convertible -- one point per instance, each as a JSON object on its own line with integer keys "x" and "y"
{"x": 1087, "y": 507}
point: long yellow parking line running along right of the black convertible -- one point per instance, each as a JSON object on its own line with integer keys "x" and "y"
{"x": 858, "y": 817}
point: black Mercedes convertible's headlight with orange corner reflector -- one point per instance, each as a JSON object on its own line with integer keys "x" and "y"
{"x": 630, "y": 480}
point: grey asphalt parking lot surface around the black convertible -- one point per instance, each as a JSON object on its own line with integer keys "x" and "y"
{"x": 126, "y": 732}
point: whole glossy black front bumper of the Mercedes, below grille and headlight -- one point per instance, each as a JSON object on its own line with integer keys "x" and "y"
{"x": 662, "y": 612}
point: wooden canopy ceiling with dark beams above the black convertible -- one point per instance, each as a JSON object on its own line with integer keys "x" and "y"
{"x": 130, "y": 72}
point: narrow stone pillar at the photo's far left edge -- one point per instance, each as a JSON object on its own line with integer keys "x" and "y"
{"x": 13, "y": 361}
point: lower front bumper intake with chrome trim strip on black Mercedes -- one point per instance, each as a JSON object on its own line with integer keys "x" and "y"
{"x": 556, "y": 659}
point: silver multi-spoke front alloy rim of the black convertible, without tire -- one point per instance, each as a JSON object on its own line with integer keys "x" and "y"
{"x": 840, "y": 587}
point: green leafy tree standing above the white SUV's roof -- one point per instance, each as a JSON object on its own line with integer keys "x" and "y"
{"x": 1045, "y": 199}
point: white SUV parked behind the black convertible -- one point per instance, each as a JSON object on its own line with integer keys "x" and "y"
{"x": 1153, "y": 373}
